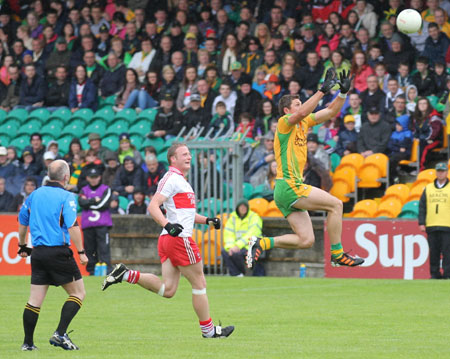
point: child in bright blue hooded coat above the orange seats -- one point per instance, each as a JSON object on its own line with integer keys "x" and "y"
{"x": 399, "y": 146}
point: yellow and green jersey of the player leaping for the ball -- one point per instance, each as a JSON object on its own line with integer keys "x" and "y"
{"x": 290, "y": 147}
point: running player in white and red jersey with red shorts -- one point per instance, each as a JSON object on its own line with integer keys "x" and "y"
{"x": 178, "y": 251}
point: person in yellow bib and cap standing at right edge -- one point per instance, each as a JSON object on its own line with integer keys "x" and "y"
{"x": 434, "y": 219}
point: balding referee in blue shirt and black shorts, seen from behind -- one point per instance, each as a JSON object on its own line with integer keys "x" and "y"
{"x": 51, "y": 214}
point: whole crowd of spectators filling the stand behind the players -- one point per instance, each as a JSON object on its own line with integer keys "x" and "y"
{"x": 221, "y": 66}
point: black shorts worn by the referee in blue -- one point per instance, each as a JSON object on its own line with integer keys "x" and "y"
{"x": 53, "y": 266}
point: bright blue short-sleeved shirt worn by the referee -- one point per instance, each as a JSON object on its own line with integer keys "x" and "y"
{"x": 49, "y": 211}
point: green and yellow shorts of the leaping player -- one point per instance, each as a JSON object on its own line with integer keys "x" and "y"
{"x": 287, "y": 193}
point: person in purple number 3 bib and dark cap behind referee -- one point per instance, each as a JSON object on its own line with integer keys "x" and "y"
{"x": 94, "y": 199}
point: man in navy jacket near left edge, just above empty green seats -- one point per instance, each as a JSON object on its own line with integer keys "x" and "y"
{"x": 32, "y": 89}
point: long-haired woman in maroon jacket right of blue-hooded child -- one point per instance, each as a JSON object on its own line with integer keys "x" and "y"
{"x": 428, "y": 129}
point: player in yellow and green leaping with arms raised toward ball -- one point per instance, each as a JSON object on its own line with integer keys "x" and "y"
{"x": 291, "y": 195}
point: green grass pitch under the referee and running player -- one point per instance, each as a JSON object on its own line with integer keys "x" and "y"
{"x": 274, "y": 318}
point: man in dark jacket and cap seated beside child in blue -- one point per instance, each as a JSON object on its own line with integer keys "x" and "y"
{"x": 374, "y": 134}
